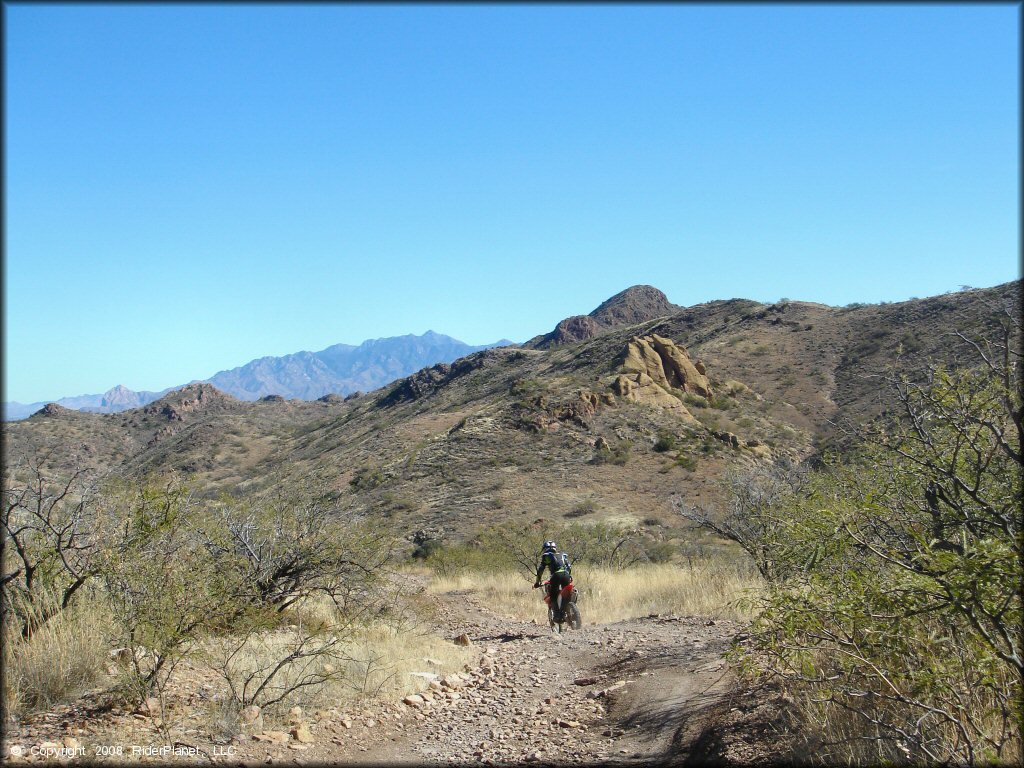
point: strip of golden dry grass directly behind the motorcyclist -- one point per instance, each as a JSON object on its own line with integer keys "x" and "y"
{"x": 704, "y": 588}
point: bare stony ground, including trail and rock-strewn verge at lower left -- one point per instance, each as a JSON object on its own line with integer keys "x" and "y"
{"x": 651, "y": 691}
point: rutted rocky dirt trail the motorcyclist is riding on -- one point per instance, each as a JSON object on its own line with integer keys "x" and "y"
{"x": 631, "y": 693}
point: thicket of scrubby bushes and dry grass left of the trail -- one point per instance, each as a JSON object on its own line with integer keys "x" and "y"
{"x": 178, "y": 576}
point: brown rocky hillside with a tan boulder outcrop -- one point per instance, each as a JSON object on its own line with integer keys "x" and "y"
{"x": 606, "y": 429}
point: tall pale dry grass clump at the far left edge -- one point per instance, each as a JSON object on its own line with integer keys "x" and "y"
{"x": 68, "y": 655}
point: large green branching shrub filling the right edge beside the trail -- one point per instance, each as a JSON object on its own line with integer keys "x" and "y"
{"x": 892, "y": 608}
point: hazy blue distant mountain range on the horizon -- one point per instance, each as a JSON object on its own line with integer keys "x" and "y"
{"x": 342, "y": 370}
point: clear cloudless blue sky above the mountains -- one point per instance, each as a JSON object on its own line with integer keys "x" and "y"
{"x": 192, "y": 187}
